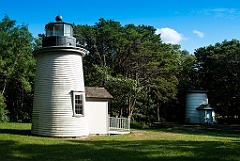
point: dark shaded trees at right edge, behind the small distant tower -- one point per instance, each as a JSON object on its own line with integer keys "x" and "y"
{"x": 219, "y": 72}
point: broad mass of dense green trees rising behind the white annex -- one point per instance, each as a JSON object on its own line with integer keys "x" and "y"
{"x": 132, "y": 63}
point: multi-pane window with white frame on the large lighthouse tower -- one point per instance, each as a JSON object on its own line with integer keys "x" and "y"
{"x": 78, "y": 103}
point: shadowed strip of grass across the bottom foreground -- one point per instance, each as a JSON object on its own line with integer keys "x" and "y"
{"x": 102, "y": 150}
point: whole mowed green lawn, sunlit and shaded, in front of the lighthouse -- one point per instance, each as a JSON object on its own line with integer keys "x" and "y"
{"x": 17, "y": 144}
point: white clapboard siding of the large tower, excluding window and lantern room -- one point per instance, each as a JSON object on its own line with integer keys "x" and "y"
{"x": 58, "y": 72}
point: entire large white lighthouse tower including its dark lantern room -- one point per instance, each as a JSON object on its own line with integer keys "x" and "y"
{"x": 59, "y": 93}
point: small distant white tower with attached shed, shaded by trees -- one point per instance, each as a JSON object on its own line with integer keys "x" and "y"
{"x": 198, "y": 111}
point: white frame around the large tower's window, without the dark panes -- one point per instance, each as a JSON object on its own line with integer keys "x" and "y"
{"x": 82, "y": 95}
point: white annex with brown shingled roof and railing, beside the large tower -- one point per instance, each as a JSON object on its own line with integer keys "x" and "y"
{"x": 96, "y": 111}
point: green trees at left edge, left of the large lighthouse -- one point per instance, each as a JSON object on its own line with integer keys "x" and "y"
{"x": 16, "y": 68}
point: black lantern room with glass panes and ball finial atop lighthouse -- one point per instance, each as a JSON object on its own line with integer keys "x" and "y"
{"x": 59, "y": 34}
